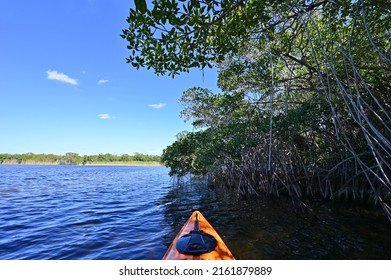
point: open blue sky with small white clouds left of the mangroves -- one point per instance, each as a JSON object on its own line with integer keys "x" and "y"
{"x": 65, "y": 86}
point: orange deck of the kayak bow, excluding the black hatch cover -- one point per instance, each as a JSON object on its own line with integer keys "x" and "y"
{"x": 220, "y": 252}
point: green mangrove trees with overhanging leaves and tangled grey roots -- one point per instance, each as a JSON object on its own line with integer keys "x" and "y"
{"x": 305, "y": 102}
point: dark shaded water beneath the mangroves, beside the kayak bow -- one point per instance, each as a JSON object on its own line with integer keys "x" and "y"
{"x": 263, "y": 228}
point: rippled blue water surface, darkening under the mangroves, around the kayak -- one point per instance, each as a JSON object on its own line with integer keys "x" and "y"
{"x": 103, "y": 212}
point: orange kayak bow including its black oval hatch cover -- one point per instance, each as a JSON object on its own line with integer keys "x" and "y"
{"x": 198, "y": 240}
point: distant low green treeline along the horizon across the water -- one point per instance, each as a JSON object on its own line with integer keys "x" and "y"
{"x": 76, "y": 159}
